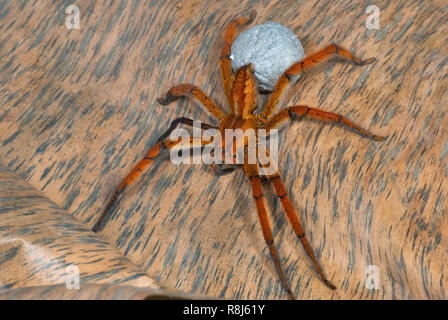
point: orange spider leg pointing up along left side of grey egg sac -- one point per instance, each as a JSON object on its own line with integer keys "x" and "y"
{"x": 224, "y": 60}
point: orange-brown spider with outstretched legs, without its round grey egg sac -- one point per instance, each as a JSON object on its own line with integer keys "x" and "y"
{"x": 240, "y": 90}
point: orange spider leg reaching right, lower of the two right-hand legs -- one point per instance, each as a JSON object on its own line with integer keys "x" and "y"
{"x": 318, "y": 114}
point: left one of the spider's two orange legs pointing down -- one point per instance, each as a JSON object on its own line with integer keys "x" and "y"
{"x": 252, "y": 174}
